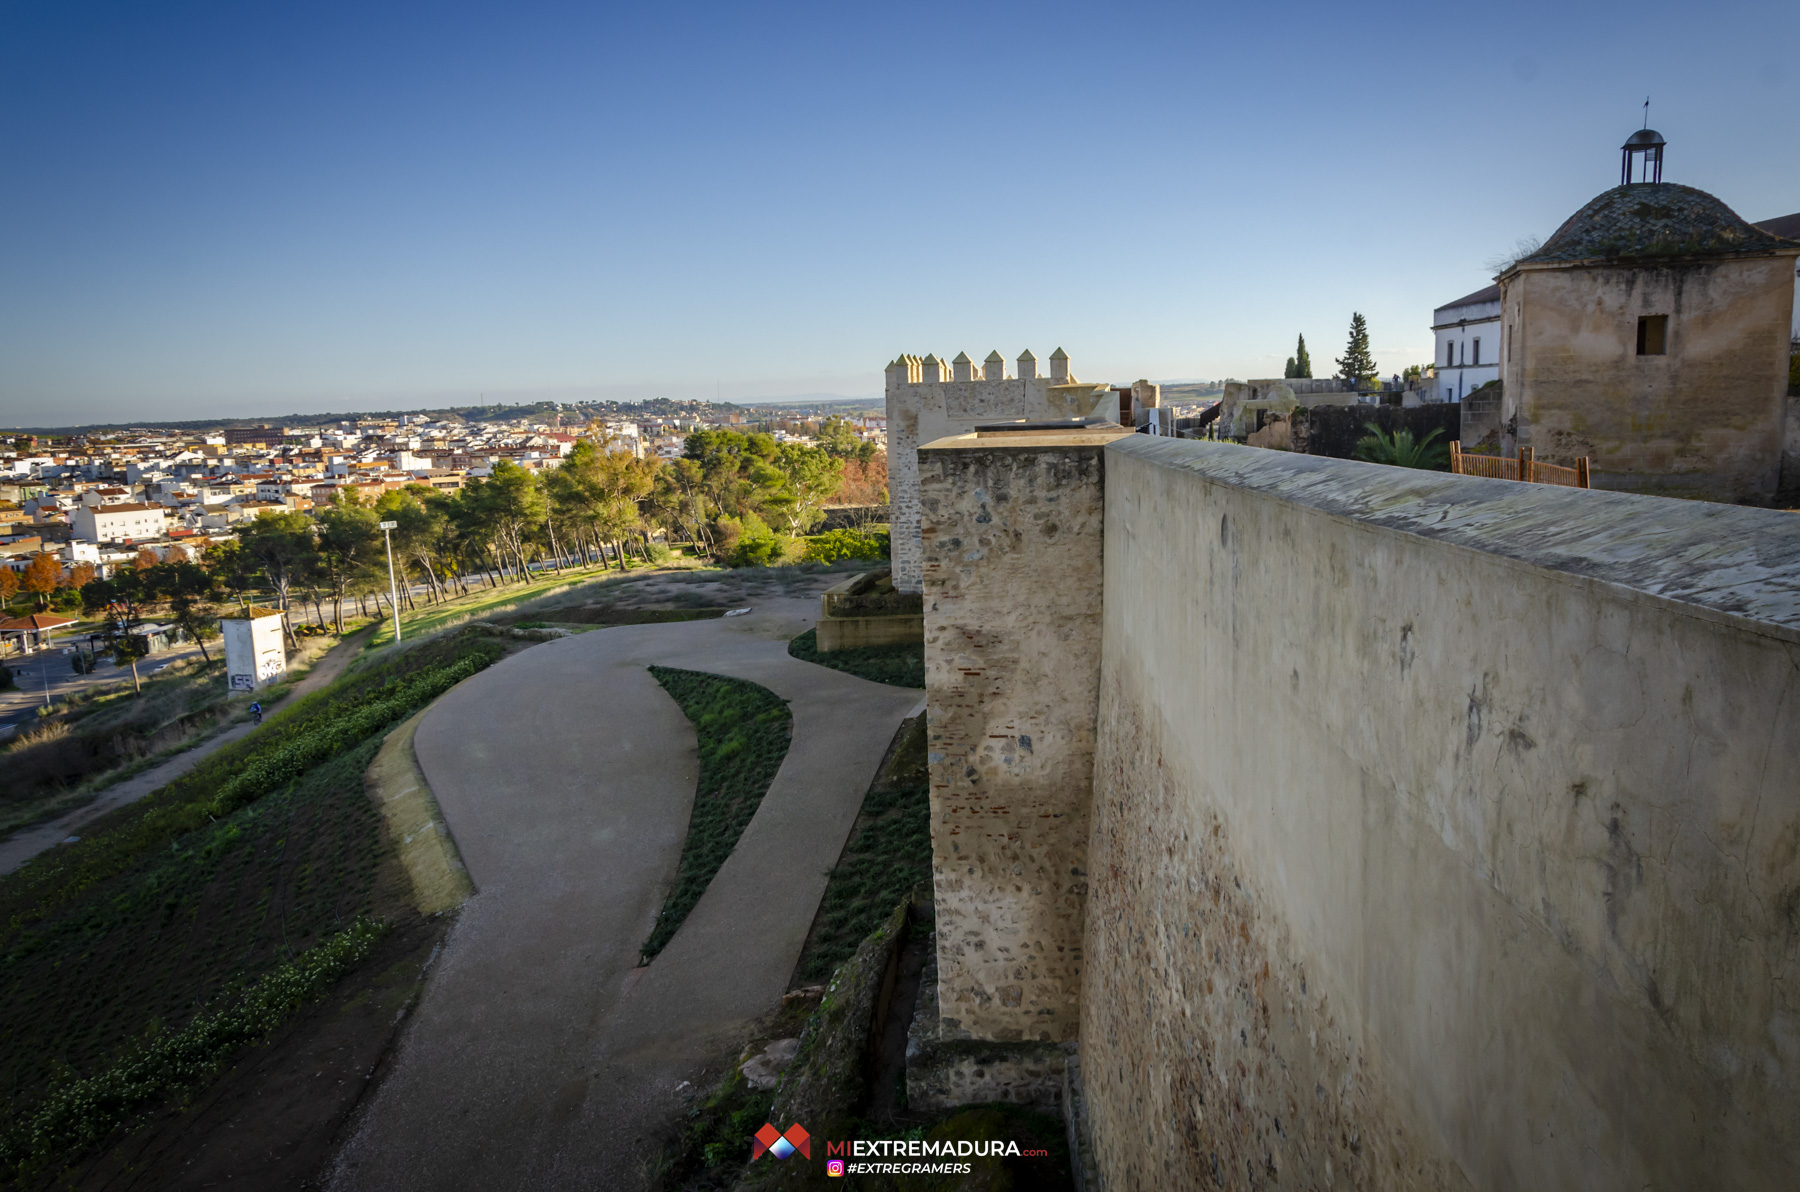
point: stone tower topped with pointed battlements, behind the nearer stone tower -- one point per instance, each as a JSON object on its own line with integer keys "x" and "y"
{"x": 931, "y": 399}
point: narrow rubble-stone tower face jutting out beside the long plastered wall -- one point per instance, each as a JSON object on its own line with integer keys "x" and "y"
{"x": 1012, "y": 664}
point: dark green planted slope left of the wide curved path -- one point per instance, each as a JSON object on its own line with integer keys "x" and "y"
{"x": 136, "y": 962}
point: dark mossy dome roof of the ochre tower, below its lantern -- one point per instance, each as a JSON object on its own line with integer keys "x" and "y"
{"x": 1651, "y": 221}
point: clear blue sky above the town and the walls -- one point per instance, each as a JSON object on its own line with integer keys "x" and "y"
{"x": 246, "y": 208}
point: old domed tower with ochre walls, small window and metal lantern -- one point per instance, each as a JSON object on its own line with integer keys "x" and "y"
{"x": 1650, "y": 334}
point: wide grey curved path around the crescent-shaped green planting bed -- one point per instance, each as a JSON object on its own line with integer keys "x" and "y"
{"x": 539, "y": 1056}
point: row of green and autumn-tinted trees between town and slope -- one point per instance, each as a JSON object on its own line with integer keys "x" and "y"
{"x": 728, "y": 496}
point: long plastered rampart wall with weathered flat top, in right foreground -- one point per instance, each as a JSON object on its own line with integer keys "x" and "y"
{"x": 1446, "y": 833}
